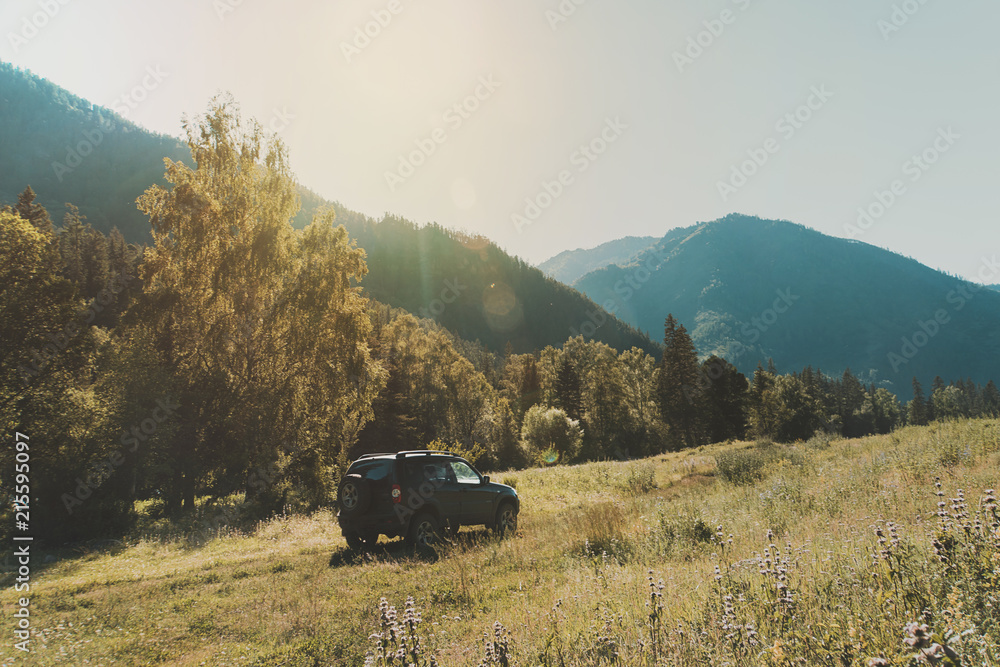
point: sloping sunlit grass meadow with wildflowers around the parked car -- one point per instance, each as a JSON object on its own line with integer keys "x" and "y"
{"x": 739, "y": 554}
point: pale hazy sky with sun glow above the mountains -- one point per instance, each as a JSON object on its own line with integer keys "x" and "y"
{"x": 550, "y": 81}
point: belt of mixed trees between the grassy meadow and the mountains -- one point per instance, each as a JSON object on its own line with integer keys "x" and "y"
{"x": 238, "y": 355}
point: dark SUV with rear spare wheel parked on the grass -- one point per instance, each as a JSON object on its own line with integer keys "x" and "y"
{"x": 418, "y": 494}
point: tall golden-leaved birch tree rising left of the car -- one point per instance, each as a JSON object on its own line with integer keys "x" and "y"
{"x": 262, "y": 326}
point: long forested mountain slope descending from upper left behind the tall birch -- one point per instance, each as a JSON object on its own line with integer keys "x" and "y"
{"x": 467, "y": 284}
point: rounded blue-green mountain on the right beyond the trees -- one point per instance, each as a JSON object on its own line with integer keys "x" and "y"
{"x": 751, "y": 289}
